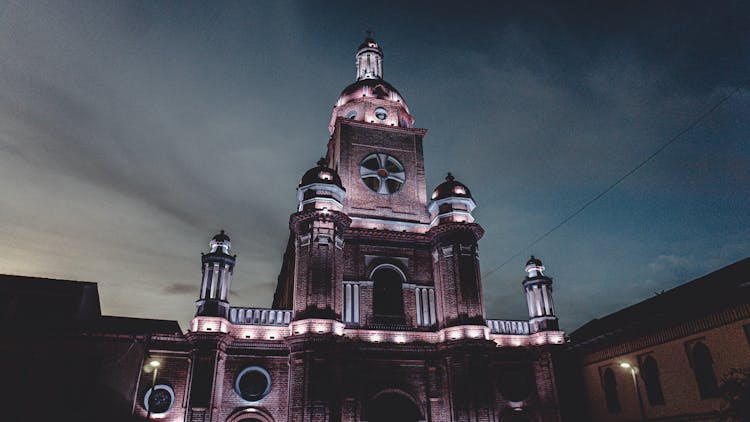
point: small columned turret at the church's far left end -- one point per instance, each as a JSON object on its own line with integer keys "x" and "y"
{"x": 217, "y": 267}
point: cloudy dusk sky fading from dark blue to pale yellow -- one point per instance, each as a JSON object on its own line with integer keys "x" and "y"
{"x": 131, "y": 132}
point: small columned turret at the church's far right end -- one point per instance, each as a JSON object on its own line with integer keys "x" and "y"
{"x": 538, "y": 288}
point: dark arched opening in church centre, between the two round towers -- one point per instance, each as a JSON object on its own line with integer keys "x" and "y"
{"x": 388, "y": 300}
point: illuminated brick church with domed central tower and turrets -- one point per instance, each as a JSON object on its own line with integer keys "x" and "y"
{"x": 378, "y": 314}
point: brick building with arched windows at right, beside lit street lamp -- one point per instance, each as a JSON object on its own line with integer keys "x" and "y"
{"x": 678, "y": 345}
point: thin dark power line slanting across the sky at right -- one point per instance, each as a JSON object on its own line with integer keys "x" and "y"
{"x": 674, "y": 138}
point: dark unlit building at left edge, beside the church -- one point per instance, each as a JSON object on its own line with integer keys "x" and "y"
{"x": 61, "y": 359}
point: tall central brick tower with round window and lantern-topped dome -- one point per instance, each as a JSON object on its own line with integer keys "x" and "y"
{"x": 376, "y": 151}
